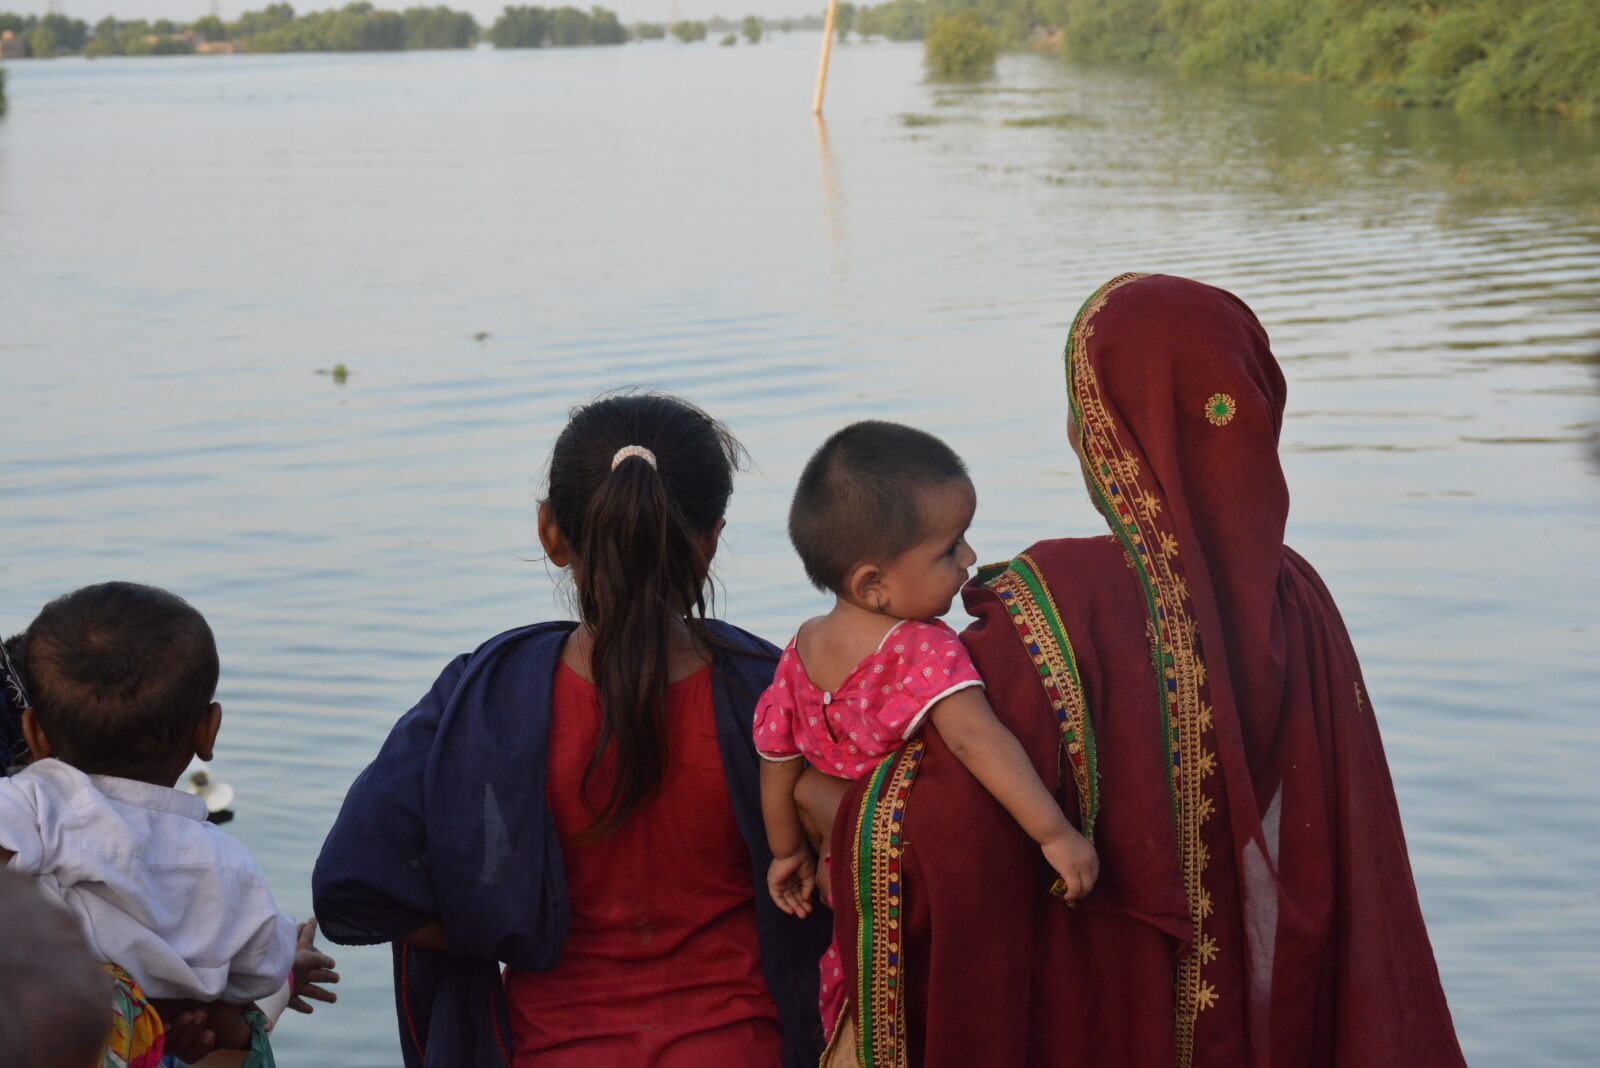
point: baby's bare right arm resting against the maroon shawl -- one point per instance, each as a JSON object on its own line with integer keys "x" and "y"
{"x": 998, "y": 760}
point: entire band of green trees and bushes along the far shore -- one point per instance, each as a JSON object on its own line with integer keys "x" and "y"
{"x": 1471, "y": 55}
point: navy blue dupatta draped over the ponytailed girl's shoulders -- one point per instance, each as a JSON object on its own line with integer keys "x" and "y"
{"x": 450, "y": 823}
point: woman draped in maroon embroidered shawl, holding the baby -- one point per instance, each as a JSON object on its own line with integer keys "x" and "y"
{"x": 1255, "y": 904}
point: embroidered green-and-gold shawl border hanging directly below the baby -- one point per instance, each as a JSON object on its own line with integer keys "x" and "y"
{"x": 876, "y": 879}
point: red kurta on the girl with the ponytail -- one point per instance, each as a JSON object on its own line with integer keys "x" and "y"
{"x": 662, "y": 966}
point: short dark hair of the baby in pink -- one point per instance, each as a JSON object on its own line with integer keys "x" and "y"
{"x": 860, "y": 498}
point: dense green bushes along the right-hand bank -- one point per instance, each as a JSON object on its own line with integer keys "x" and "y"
{"x": 1473, "y": 55}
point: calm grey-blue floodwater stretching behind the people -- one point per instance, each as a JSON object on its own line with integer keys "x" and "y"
{"x": 487, "y": 239}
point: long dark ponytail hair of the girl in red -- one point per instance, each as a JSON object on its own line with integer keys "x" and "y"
{"x": 642, "y": 536}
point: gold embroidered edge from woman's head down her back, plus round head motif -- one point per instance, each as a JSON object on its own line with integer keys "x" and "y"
{"x": 1186, "y": 719}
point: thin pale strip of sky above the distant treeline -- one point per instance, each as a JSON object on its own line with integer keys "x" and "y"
{"x": 484, "y": 10}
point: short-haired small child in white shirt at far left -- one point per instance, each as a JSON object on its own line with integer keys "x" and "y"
{"x": 121, "y": 683}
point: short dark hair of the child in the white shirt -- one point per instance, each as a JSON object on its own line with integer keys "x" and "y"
{"x": 119, "y": 675}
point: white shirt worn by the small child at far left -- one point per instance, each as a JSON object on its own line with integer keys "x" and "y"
{"x": 162, "y": 893}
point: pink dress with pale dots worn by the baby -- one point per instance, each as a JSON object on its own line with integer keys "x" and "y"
{"x": 849, "y": 731}
